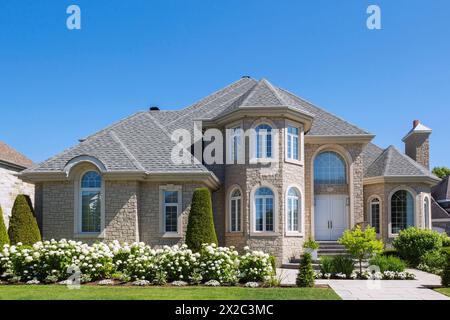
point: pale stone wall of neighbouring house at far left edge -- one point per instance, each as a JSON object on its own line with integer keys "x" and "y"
{"x": 10, "y": 187}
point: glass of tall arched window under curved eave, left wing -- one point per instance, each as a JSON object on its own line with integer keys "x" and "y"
{"x": 90, "y": 197}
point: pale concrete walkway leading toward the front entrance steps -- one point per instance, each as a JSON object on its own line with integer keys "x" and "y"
{"x": 418, "y": 289}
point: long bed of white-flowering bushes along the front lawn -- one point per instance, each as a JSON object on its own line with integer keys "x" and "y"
{"x": 137, "y": 264}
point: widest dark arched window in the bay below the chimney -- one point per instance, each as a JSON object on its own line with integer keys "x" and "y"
{"x": 402, "y": 211}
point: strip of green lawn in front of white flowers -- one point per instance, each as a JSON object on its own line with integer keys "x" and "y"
{"x": 54, "y": 292}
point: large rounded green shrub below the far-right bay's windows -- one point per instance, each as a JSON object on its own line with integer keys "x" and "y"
{"x": 413, "y": 243}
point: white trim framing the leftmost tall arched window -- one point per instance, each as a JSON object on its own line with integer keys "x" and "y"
{"x": 78, "y": 207}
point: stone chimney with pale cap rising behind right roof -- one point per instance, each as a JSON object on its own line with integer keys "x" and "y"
{"x": 417, "y": 143}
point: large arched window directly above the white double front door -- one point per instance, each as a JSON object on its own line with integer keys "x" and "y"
{"x": 329, "y": 168}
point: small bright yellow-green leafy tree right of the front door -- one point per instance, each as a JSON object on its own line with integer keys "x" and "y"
{"x": 361, "y": 244}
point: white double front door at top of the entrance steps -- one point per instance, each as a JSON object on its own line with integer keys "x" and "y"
{"x": 330, "y": 216}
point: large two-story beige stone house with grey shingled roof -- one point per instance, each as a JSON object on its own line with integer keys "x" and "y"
{"x": 291, "y": 171}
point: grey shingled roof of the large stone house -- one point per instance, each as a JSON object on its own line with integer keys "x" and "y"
{"x": 141, "y": 142}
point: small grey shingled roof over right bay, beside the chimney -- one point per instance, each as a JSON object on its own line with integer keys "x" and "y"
{"x": 393, "y": 163}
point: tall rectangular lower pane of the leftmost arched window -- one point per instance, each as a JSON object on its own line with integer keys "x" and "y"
{"x": 91, "y": 211}
